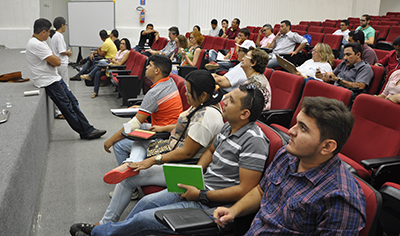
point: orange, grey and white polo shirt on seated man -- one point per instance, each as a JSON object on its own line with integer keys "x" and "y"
{"x": 162, "y": 102}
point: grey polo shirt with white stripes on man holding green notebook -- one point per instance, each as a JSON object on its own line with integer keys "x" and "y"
{"x": 246, "y": 148}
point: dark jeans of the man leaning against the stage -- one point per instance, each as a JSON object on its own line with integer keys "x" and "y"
{"x": 69, "y": 107}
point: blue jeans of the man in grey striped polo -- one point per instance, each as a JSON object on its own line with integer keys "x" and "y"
{"x": 141, "y": 220}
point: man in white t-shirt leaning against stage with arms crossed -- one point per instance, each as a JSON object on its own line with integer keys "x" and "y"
{"x": 42, "y": 63}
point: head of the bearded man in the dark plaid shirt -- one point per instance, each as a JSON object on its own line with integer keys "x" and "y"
{"x": 323, "y": 127}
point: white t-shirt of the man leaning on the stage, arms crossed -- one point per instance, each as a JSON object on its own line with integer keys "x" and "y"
{"x": 42, "y": 73}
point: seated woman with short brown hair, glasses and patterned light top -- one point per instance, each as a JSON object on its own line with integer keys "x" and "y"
{"x": 254, "y": 63}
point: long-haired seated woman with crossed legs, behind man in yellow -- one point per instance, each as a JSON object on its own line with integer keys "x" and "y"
{"x": 120, "y": 59}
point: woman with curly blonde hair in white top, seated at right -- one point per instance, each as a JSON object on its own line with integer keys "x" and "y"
{"x": 322, "y": 60}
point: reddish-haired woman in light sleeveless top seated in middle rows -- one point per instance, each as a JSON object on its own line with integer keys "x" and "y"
{"x": 191, "y": 58}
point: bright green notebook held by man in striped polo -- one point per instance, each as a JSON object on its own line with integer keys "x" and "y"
{"x": 183, "y": 174}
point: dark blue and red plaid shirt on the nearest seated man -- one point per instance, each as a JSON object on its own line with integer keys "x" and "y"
{"x": 325, "y": 200}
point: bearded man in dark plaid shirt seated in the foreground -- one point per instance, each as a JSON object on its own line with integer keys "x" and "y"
{"x": 307, "y": 190}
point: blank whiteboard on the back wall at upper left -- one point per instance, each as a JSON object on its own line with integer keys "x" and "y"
{"x": 86, "y": 19}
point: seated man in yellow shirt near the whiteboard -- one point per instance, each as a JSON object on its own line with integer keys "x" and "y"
{"x": 108, "y": 50}
